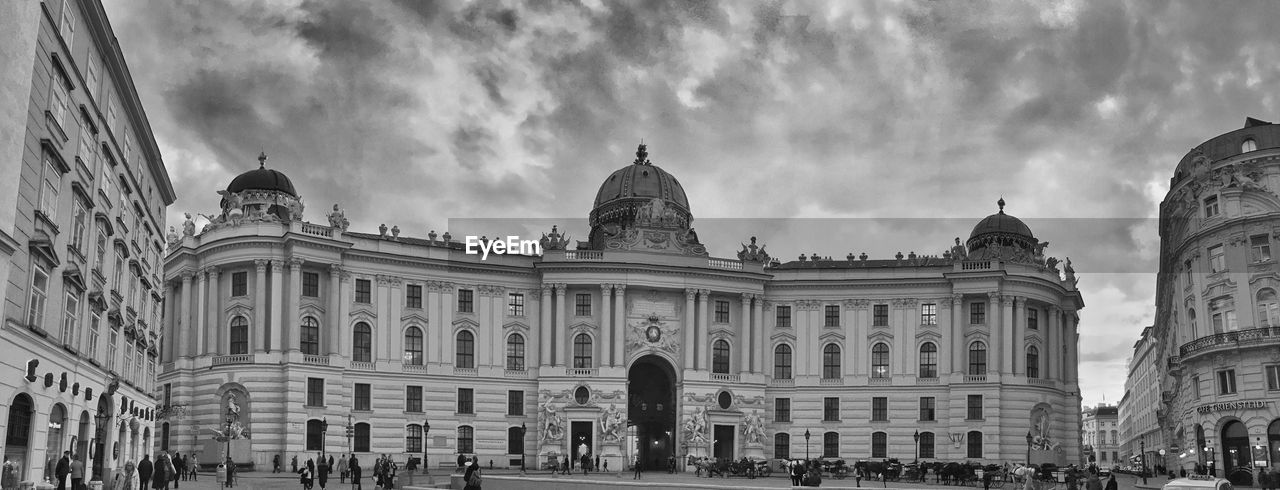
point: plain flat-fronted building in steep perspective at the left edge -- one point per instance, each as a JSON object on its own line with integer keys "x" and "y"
{"x": 85, "y": 194}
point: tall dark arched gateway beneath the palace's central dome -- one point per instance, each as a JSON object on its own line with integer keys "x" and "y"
{"x": 652, "y": 410}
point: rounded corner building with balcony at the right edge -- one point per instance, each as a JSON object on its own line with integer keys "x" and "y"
{"x": 1218, "y": 319}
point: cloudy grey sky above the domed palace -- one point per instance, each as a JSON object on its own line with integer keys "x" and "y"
{"x": 900, "y": 122}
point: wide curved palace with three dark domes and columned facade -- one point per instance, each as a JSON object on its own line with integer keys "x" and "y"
{"x": 307, "y": 323}
